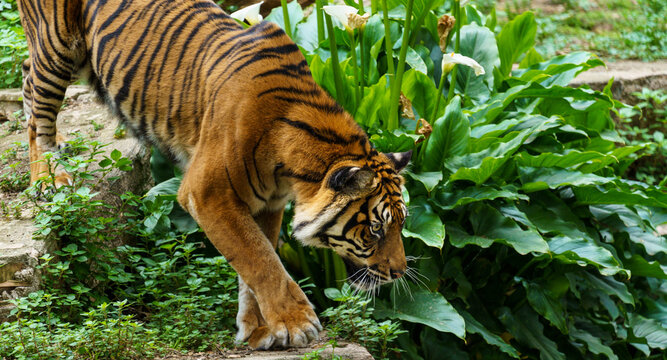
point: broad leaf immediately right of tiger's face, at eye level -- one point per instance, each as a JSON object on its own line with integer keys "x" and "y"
{"x": 424, "y": 224}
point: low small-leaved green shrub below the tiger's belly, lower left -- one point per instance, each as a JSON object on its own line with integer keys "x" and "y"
{"x": 101, "y": 300}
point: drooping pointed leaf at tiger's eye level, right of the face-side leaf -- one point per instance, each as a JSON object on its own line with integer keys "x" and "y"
{"x": 490, "y": 223}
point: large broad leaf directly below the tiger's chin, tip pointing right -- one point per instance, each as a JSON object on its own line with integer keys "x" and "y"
{"x": 424, "y": 307}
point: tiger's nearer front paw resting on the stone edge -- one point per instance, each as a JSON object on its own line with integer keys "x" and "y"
{"x": 294, "y": 328}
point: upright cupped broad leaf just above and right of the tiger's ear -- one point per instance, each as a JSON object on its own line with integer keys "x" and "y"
{"x": 449, "y": 138}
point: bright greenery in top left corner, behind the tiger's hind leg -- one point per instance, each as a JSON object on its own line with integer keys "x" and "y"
{"x": 13, "y": 46}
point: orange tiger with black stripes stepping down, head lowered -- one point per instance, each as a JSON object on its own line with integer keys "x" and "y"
{"x": 238, "y": 110}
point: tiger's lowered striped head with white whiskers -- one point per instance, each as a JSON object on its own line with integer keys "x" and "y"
{"x": 359, "y": 213}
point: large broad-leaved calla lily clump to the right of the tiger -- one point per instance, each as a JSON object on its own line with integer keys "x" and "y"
{"x": 529, "y": 241}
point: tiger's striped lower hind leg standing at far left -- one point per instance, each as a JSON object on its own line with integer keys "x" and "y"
{"x": 43, "y": 94}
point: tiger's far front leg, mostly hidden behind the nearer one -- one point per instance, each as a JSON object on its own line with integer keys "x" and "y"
{"x": 249, "y": 320}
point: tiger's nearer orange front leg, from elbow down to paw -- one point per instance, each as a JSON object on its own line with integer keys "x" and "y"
{"x": 288, "y": 317}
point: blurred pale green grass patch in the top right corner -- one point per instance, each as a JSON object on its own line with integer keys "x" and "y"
{"x": 617, "y": 29}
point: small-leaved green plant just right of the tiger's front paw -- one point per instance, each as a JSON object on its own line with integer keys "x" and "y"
{"x": 351, "y": 320}
